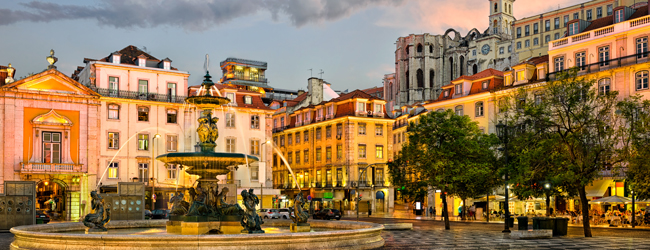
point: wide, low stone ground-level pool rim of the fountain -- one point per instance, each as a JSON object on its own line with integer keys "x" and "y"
{"x": 342, "y": 235}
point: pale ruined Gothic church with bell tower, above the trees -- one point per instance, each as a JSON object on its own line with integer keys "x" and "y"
{"x": 424, "y": 63}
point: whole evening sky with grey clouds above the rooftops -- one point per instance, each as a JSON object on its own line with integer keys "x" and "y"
{"x": 351, "y": 41}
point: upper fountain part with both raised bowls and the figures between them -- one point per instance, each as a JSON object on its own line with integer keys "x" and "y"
{"x": 208, "y": 164}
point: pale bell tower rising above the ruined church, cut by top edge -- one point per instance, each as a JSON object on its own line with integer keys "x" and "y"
{"x": 501, "y": 17}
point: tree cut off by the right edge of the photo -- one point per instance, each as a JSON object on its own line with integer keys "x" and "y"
{"x": 636, "y": 131}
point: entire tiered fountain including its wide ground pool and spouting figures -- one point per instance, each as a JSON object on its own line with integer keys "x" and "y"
{"x": 207, "y": 221}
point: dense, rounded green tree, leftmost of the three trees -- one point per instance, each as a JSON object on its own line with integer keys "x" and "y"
{"x": 450, "y": 153}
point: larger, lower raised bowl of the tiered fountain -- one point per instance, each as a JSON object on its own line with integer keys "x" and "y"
{"x": 208, "y": 165}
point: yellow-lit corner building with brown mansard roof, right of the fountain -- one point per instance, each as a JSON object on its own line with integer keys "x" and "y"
{"x": 327, "y": 145}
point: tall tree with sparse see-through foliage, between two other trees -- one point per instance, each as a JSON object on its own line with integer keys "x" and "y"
{"x": 580, "y": 123}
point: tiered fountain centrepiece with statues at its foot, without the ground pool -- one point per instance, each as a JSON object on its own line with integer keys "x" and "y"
{"x": 207, "y": 209}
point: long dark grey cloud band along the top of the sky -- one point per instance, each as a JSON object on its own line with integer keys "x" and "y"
{"x": 189, "y": 14}
